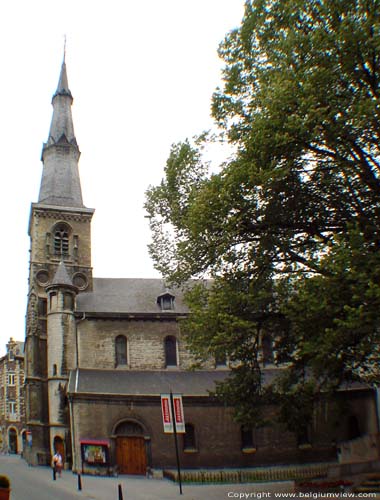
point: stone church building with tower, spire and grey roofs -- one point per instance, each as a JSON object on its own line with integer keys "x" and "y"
{"x": 99, "y": 352}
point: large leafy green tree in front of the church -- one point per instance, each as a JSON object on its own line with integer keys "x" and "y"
{"x": 288, "y": 228}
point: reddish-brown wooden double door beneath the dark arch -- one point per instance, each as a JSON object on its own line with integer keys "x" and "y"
{"x": 131, "y": 455}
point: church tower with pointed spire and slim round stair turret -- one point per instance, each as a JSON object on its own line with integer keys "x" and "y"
{"x": 59, "y": 268}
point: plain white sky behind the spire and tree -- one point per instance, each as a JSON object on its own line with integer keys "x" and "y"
{"x": 142, "y": 74}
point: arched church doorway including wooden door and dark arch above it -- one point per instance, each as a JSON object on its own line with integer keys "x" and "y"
{"x": 130, "y": 448}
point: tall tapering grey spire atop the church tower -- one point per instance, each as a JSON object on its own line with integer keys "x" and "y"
{"x": 60, "y": 183}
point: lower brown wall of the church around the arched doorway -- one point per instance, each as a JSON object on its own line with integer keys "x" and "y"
{"x": 218, "y": 438}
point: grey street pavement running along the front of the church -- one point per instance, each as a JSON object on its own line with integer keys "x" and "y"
{"x": 36, "y": 483}
